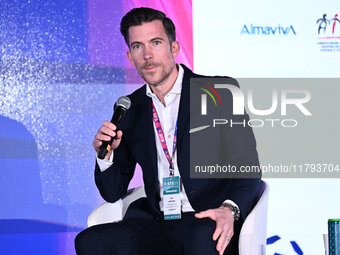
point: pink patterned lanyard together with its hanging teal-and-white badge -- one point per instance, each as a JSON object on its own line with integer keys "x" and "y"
{"x": 171, "y": 185}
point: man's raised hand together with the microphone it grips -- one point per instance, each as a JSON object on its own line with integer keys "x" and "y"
{"x": 107, "y": 137}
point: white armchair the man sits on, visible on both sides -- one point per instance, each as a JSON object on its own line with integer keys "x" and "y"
{"x": 253, "y": 234}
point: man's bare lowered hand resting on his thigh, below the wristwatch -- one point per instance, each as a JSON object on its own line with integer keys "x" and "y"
{"x": 224, "y": 226}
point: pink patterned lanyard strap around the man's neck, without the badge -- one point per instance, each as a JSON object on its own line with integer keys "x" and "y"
{"x": 162, "y": 139}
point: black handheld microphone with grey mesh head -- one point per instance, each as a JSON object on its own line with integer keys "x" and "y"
{"x": 121, "y": 106}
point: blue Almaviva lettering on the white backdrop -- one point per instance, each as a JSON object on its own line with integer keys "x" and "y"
{"x": 268, "y": 30}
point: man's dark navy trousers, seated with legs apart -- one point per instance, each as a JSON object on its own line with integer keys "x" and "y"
{"x": 145, "y": 235}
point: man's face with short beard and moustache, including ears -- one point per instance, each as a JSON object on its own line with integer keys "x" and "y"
{"x": 151, "y": 53}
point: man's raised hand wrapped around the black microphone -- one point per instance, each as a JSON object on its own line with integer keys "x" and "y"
{"x": 105, "y": 132}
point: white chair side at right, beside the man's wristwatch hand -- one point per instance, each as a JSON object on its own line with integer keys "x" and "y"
{"x": 253, "y": 234}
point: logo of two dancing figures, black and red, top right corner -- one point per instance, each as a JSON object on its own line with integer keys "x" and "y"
{"x": 328, "y": 32}
